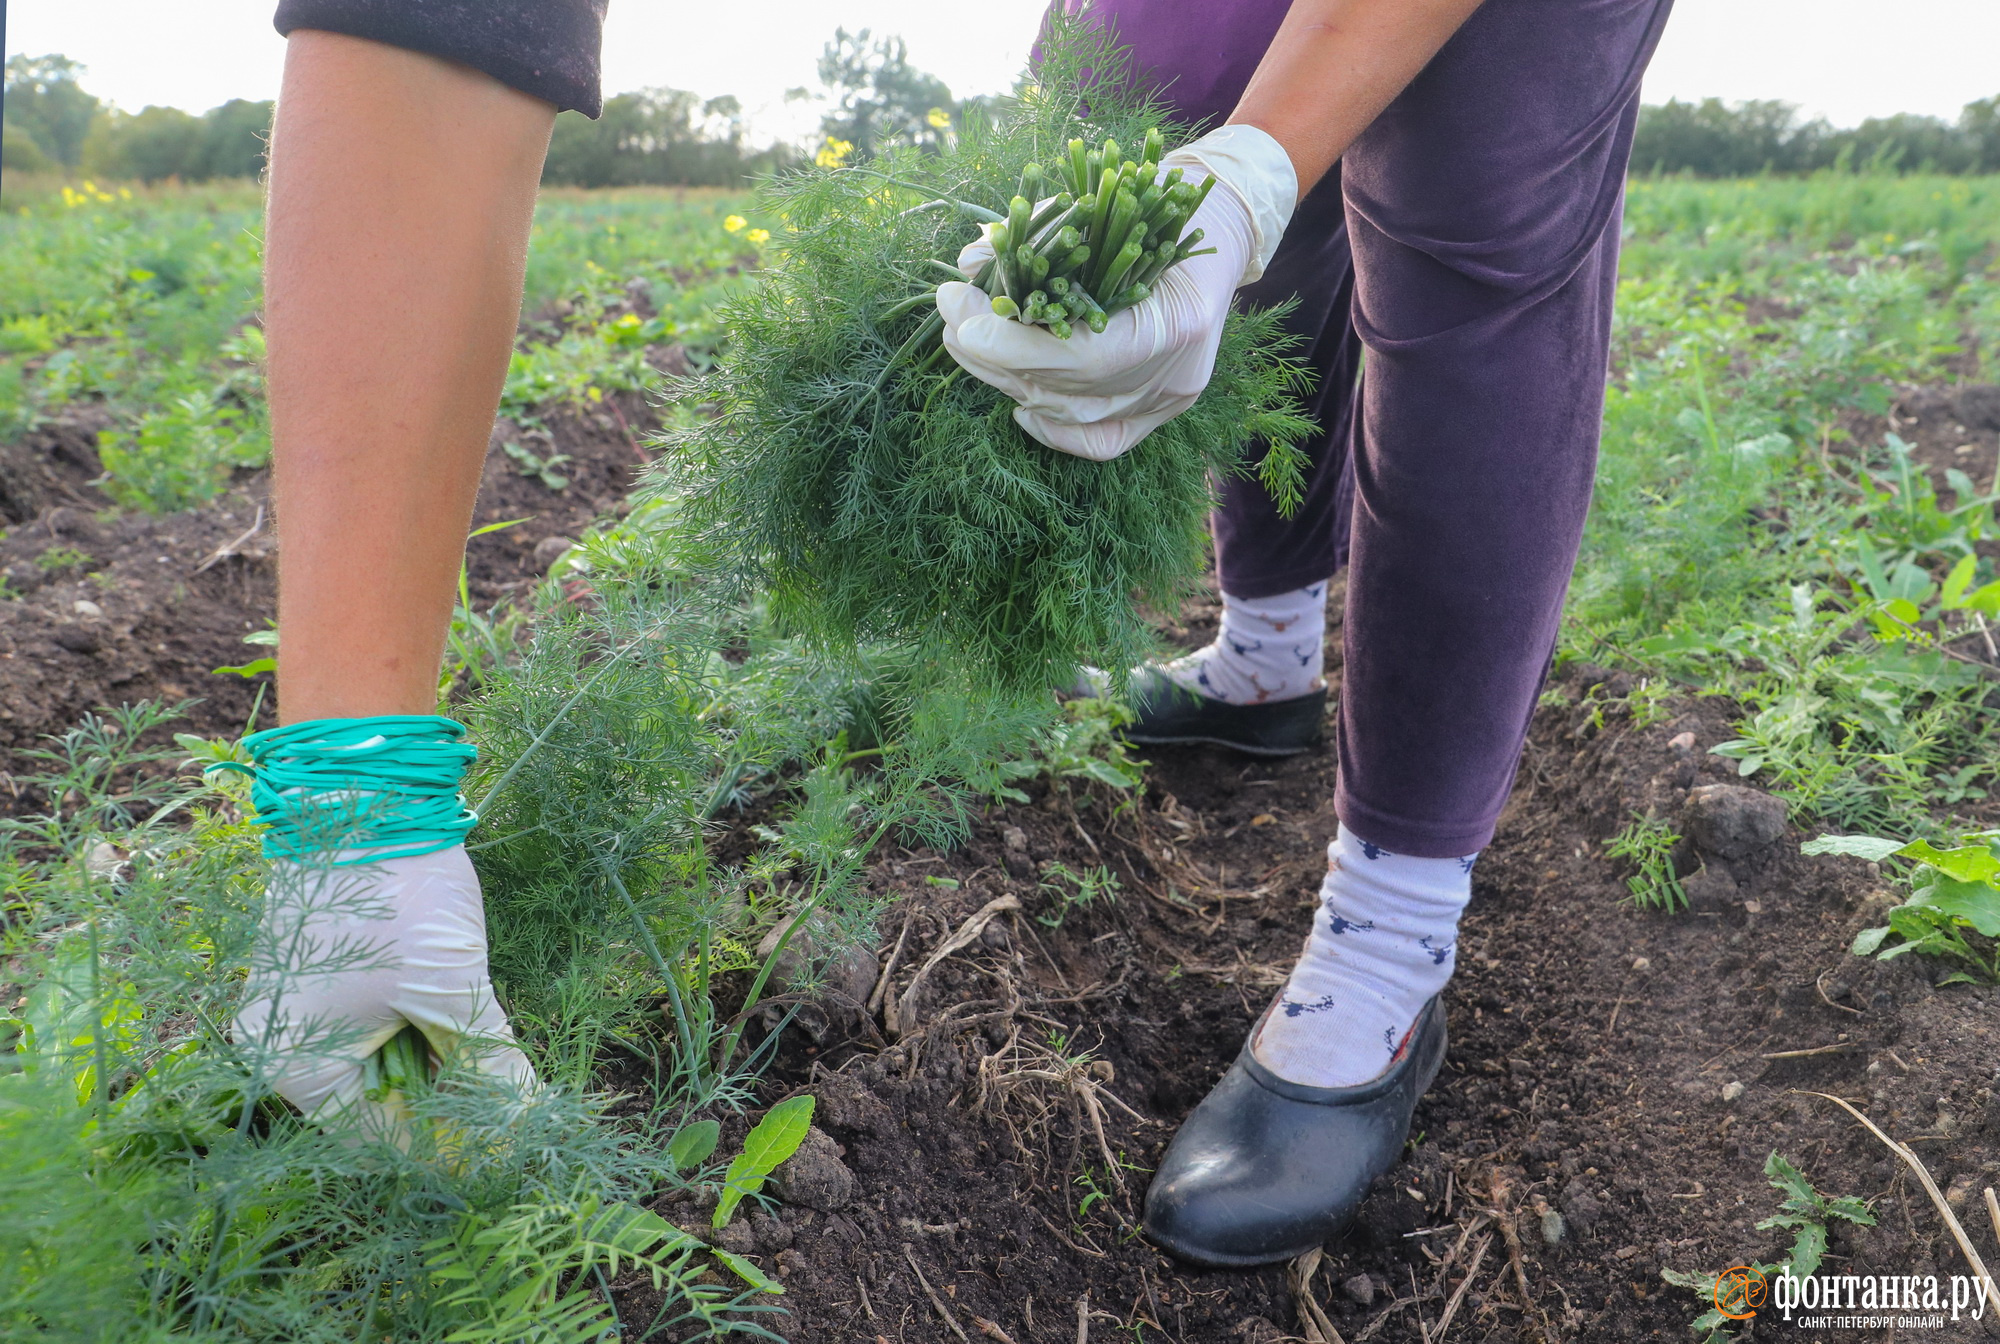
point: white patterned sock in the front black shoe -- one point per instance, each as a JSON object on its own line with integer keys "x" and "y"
{"x": 1381, "y": 949}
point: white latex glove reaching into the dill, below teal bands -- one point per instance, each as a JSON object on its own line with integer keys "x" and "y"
{"x": 383, "y": 945}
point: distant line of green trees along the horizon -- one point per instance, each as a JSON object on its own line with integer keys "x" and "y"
{"x": 875, "y": 99}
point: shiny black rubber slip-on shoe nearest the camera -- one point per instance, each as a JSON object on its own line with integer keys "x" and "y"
{"x": 1267, "y": 1169}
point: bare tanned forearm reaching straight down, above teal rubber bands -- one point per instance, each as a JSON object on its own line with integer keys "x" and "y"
{"x": 401, "y": 201}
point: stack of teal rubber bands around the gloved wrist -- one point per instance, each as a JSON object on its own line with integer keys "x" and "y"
{"x": 387, "y": 785}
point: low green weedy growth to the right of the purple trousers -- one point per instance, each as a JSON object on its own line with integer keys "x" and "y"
{"x": 1733, "y": 549}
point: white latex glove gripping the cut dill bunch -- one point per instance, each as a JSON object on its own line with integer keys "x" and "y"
{"x": 1099, "y": 393}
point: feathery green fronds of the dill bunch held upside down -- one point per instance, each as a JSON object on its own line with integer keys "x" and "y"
{"x": 877, "y": 493}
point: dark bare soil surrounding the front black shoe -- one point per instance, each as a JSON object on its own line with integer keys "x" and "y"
{"x": 1613, "y": 1087}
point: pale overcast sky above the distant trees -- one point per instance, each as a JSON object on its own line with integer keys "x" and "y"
{"x": 1839, "y": 59}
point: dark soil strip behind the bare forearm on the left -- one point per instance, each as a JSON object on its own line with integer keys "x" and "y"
{"x": 105, "y": 607}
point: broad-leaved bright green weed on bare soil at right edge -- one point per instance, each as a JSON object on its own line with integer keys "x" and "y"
{"x": 1953, "y": 911}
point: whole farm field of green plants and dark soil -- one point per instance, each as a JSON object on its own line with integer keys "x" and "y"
{"x": 1041, "y": 949}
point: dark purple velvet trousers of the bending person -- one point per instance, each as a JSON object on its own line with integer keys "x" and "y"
{"x": 1481, "y": 255}
